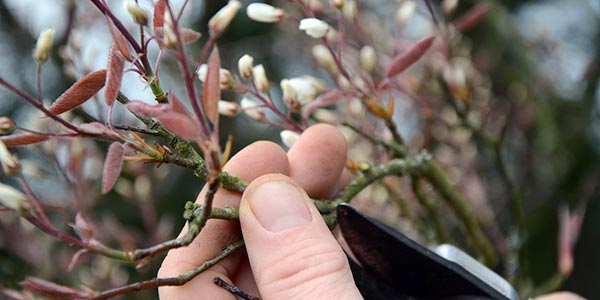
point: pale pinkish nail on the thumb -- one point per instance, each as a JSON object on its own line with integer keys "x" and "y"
{"x": 279, "y": 205}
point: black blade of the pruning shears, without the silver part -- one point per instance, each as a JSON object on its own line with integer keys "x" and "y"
{"x": 402, "y": 265}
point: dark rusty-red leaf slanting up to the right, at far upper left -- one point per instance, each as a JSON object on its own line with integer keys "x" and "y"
{"x": 79, "y": 92}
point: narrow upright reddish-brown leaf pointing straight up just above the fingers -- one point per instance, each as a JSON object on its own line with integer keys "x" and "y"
{"x": 211, "y": 92}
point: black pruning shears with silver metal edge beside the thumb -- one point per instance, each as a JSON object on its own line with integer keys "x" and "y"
{"x": 392, "y": 266}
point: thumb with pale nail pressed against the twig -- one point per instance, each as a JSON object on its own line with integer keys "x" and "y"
{"x": 292, "y": 253}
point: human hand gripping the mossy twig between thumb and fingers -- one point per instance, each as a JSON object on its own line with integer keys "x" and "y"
{"x": 290, "y": 252}
